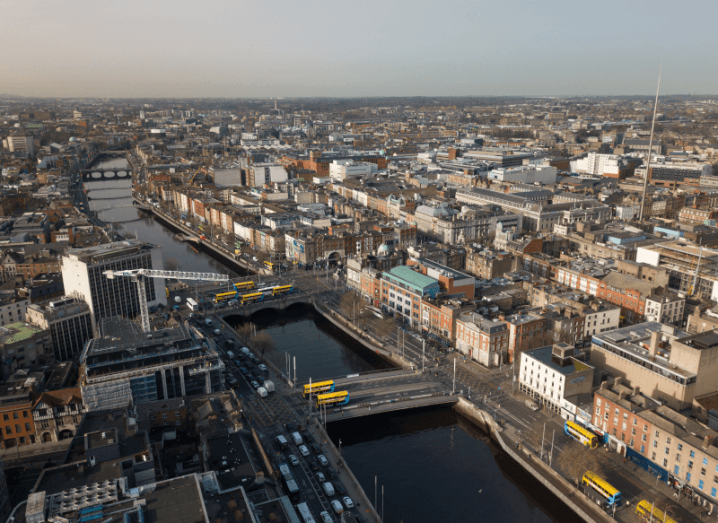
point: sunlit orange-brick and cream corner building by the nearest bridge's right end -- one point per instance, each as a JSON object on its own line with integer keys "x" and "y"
{"x": 481, "y": 339}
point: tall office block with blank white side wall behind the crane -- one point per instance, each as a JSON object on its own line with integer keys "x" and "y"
{"x": 83, "y": 276}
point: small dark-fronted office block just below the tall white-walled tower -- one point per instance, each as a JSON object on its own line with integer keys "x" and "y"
{"x": 70, "y": 322}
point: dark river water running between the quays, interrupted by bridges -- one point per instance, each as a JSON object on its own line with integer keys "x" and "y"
{"x": 434, "y": 465}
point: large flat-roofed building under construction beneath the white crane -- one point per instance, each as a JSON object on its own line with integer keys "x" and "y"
{"x": 127, "y": 366}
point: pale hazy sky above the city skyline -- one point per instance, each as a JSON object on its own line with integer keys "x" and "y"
{"x": 162, "y": 48}
